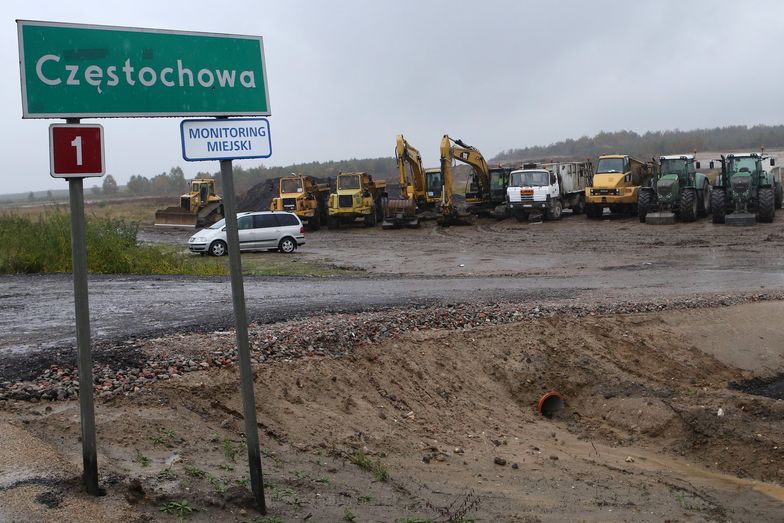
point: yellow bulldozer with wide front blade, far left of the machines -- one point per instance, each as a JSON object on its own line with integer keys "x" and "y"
{"x": 198, "y": 208}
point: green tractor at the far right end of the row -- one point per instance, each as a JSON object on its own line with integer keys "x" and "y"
{"x": 744, "y": 193}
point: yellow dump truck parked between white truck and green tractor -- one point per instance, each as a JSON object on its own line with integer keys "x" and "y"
{"x": 616, "y": 183}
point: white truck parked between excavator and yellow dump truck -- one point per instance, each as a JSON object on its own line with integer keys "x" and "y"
{"x": 548, "y": 189}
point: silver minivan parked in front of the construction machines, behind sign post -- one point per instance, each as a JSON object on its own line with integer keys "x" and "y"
{"x": 266, "y": 230}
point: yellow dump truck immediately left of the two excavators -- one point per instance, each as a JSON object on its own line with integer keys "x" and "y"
{"x": 356, "y": 196}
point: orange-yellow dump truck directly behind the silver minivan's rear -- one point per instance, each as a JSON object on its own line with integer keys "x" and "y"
{"x": 305, "y": 197}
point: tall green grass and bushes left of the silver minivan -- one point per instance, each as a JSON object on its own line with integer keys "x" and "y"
{"x": 43, "y": 244}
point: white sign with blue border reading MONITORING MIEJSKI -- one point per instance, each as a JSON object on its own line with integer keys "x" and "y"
{"x": 230, "y": 139}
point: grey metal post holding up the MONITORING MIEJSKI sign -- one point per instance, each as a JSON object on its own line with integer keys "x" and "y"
{"x": 243, "y": 347}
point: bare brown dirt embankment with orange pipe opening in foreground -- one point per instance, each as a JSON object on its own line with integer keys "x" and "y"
{"x": 443, "y": 421}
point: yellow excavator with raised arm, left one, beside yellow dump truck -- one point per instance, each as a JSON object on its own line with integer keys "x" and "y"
{"x": 420, "y": 189}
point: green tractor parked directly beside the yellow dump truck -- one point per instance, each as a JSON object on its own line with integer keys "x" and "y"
{"x": 676, "y": 190}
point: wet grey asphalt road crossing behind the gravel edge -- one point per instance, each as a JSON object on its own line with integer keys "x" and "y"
{"x": 36, "y": 311}
